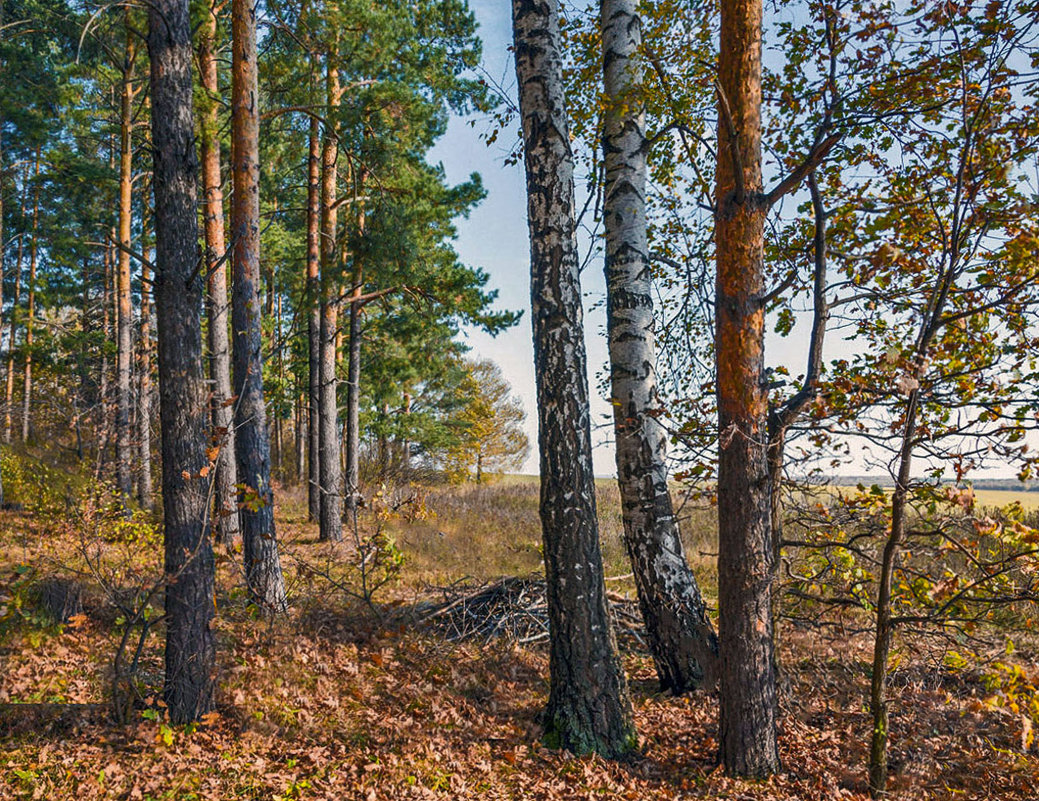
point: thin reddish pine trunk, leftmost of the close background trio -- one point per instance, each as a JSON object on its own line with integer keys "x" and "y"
{"x": 314, "y": 322}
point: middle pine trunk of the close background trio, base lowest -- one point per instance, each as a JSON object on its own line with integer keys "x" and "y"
{"x": 332, "y": 496}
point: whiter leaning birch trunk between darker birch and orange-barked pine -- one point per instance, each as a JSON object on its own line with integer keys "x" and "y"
{"x": 682, "y": 638}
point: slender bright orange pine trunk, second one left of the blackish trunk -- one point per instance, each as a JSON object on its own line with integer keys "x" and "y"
{"x": 124, "y": 355}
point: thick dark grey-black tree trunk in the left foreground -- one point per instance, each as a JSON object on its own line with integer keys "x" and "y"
{"x": 191, "y": 652}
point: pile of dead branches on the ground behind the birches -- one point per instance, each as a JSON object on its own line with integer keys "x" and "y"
{"x": 514, "y": 608}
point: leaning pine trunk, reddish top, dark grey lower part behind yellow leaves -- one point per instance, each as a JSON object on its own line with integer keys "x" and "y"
{"x": 263, "y": 568}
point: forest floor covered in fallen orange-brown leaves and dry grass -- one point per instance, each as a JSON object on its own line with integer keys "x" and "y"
{"x": 344, "y": 701}
